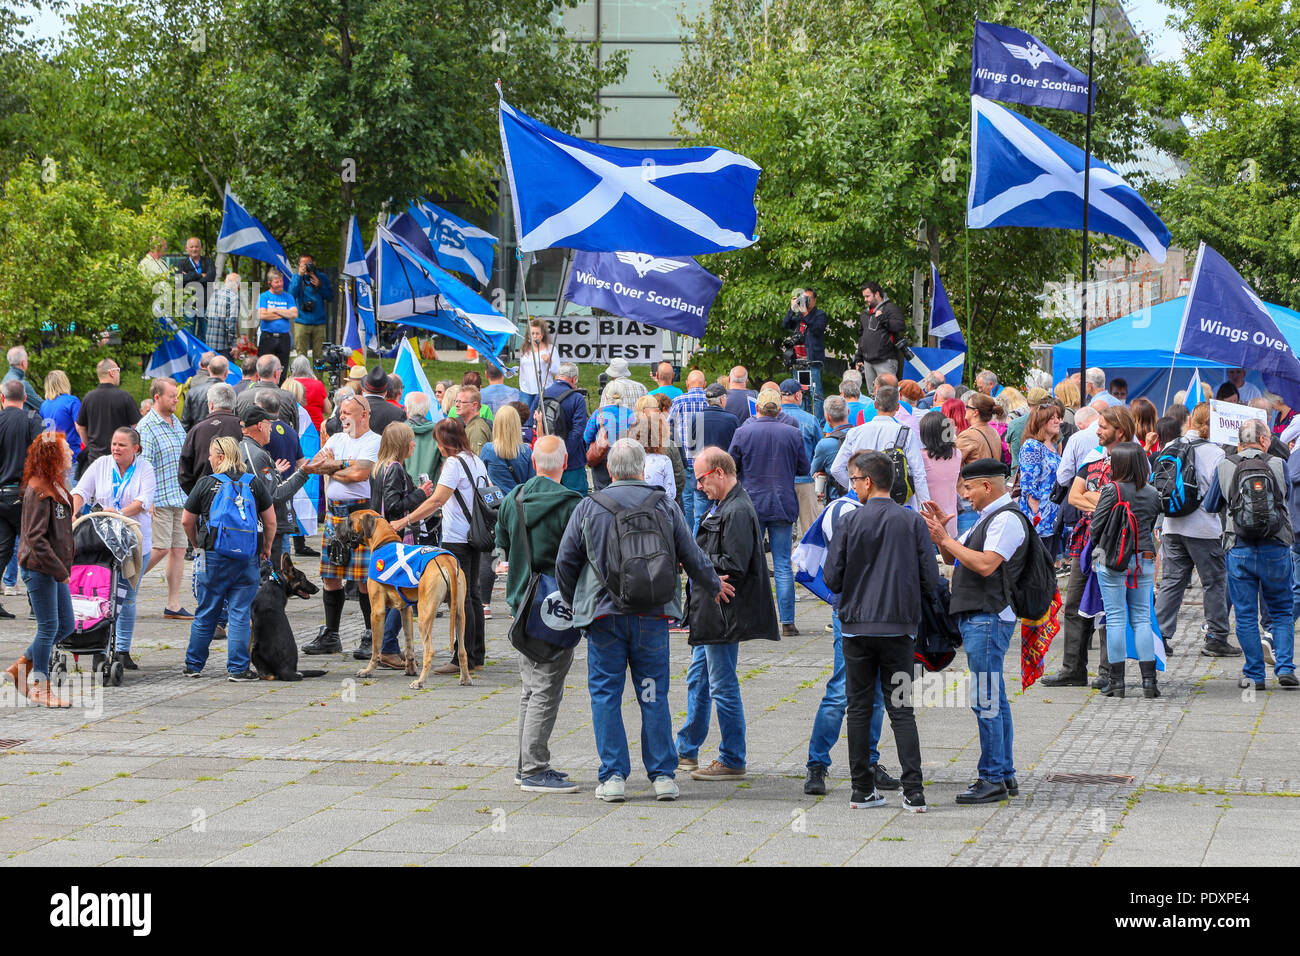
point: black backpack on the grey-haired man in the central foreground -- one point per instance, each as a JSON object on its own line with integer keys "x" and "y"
{"x": 642, "y": 572}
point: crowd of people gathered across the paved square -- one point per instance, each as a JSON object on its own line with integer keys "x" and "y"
{"x": 668, "y": 511}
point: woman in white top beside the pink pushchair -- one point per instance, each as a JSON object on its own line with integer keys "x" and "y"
{"x": 125, "y": 483}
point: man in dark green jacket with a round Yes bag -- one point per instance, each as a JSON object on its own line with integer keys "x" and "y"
{"x": 548, "y": 507}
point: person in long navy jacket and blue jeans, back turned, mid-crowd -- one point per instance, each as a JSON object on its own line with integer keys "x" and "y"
{"x": 769, "y": 456}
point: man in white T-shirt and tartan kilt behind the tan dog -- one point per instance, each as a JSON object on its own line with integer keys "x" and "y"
{"x": 348, "y": 460}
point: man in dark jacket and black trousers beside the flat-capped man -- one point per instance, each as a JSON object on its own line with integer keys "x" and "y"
{"x": 882, "y": 565}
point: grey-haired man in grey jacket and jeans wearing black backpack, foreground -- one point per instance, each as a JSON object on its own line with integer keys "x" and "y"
{"x": 629, "y": 630}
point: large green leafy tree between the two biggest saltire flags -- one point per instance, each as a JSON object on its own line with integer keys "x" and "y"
{"x": 860, "y": 116}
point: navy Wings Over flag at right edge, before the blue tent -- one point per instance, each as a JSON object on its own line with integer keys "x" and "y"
{"x": 1227, "y": 322}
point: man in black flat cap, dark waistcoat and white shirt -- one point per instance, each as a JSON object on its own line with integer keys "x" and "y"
{"x": 989, "y": 559}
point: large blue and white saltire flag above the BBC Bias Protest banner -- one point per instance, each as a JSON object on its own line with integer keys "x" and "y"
{"x": 573, "y": 194}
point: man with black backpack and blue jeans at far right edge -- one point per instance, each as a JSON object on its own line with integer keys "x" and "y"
{"x": 1258, "y": 537}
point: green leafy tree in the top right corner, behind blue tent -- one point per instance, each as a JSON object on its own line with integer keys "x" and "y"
{"x": 1238, "y": 96}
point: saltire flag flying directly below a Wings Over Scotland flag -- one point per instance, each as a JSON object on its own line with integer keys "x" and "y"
{"x": 1025, "y": 176}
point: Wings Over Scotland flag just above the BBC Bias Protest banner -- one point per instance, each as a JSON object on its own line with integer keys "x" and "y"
{"x": 669, "y": 293}
